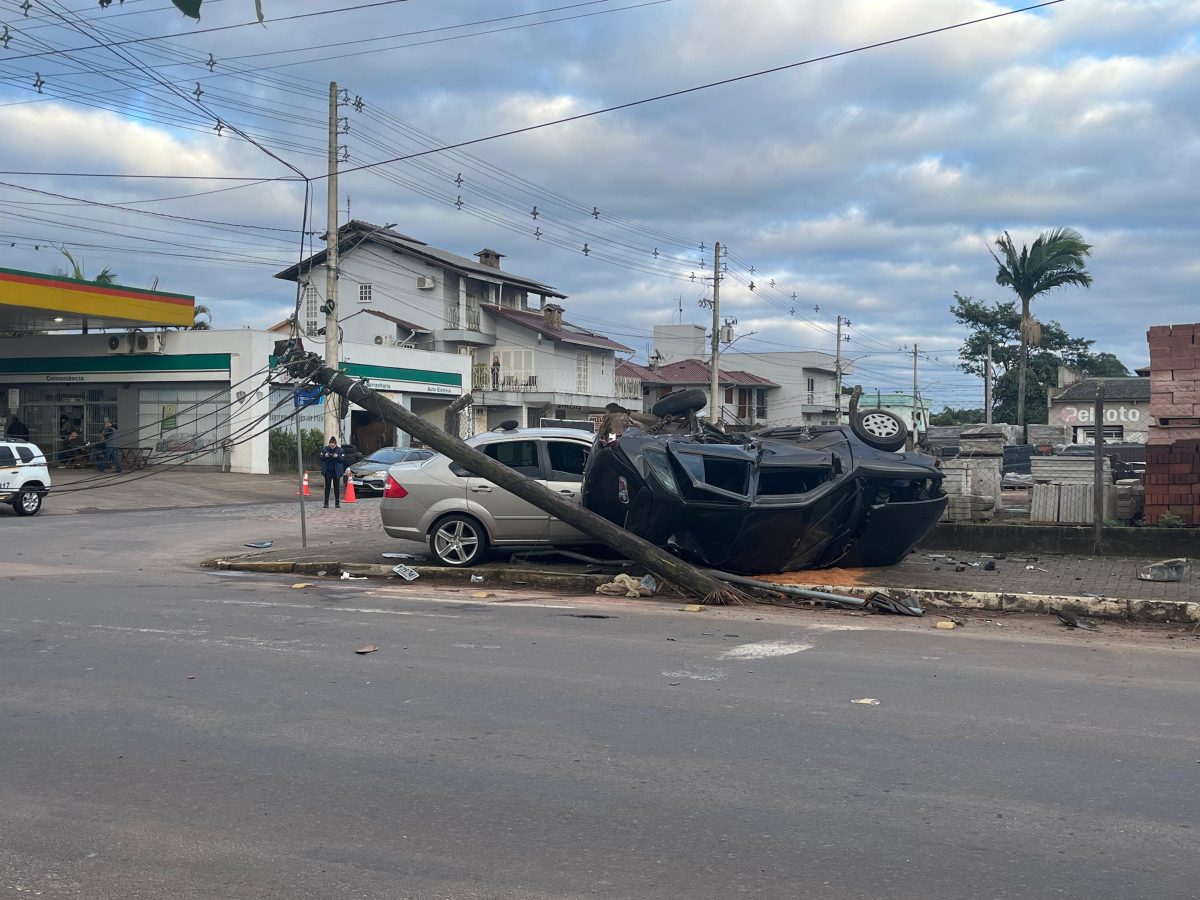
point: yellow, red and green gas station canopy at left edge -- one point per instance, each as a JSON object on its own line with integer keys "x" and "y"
{"x": 31, "y": 302}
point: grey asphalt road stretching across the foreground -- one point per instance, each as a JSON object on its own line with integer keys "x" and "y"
{"x": 167, "y": 733}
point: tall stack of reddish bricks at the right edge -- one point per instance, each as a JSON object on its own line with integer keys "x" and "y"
{"x": 1173, "y": 452}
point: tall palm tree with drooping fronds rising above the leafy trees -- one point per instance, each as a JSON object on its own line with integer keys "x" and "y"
{"x": 1057, "y": 259}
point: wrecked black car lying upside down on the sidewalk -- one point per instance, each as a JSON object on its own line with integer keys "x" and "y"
{"x": 776, "y": 501}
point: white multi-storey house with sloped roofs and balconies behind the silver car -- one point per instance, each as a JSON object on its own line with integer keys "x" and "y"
{"x": 527, "y": 363}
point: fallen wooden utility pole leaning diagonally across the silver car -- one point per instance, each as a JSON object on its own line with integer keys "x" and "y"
{"x": 668, "y": 568}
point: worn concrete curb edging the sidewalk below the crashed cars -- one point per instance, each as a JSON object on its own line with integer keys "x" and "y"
{"x": 1162, "y": 611}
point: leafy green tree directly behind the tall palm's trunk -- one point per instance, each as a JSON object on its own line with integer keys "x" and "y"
{"x": 999, "y": 325}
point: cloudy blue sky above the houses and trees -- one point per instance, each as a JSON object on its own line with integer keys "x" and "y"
{"x": 866, "y": 185}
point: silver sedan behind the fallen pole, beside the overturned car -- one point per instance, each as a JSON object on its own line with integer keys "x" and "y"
{"x": 463, "y": 515}
